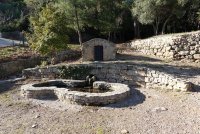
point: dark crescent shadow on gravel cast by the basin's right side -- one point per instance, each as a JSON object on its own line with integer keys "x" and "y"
{"x": 134, "y": 99}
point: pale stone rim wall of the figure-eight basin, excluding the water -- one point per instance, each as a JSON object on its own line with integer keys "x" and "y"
{"x": 118, "y": 92}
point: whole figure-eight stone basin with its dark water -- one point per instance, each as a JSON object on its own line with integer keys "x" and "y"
{"x": 74, "y": 91}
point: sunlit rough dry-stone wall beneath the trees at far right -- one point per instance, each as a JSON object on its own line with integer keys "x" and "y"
{"x": 172, "y": 46}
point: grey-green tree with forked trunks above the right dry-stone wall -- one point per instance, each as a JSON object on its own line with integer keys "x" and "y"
{"x": 158, "y": 12}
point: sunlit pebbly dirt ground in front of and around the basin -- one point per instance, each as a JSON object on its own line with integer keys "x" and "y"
{"x": 147, "y": 111}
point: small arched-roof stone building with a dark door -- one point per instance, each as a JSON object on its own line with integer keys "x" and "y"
{"x": 98, "y": 50}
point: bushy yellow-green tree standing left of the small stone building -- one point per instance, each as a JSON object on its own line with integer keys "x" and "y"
{"x": 49, "y": 33}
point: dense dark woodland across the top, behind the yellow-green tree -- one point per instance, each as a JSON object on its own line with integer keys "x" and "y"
{"x": 117, "y": 20}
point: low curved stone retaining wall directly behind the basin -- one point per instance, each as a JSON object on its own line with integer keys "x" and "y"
{"x": 133, "y": 75}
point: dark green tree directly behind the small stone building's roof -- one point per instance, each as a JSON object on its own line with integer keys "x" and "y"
{"x": 105, "y": 16}
